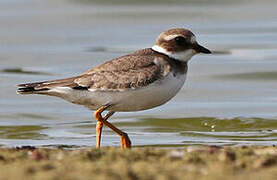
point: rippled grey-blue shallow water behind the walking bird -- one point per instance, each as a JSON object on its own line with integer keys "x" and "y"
{"x": 229, "y": 97}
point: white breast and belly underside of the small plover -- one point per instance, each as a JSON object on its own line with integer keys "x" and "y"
{"x": 143, "y": 98}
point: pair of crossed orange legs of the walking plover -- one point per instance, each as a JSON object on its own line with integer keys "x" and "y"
{"x": 125, "y": 141}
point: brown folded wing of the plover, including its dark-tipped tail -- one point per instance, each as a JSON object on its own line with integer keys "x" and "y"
{"x": 131, "y": 71}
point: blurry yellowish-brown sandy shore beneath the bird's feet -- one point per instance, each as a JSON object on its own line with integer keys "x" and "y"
{"x": 192, "y": 162}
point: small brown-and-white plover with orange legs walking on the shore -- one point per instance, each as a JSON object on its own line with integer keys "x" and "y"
{"x": 142, "y": 80}
